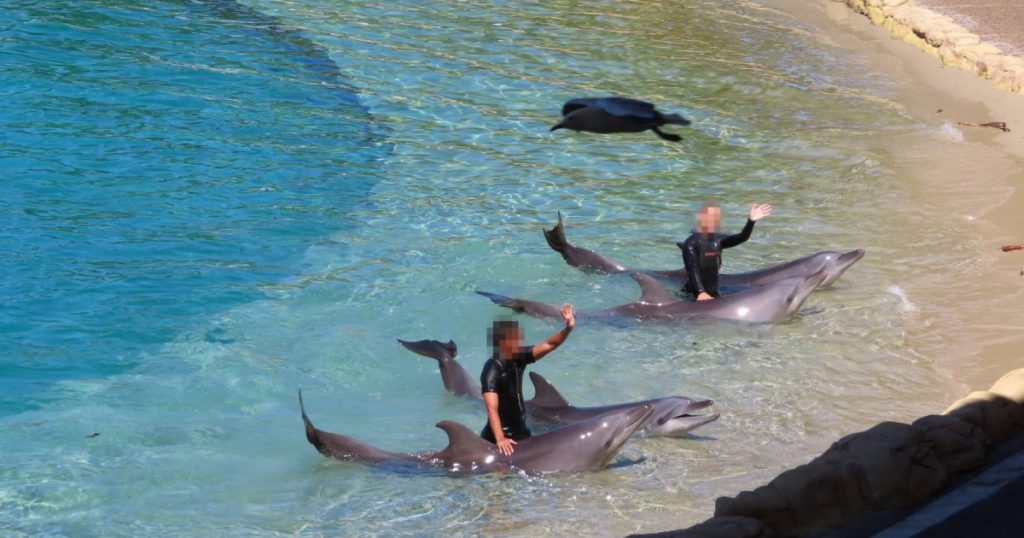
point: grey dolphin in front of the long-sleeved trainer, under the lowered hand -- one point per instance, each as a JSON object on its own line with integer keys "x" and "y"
{"x": 772, "y": 304}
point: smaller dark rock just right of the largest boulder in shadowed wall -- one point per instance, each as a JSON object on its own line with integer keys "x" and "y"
{"x": 959, "y": 445}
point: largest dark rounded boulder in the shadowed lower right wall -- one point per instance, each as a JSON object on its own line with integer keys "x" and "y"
{"x": 899, "y": 465}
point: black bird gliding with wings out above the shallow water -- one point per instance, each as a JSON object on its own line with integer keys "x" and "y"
{"x": 605, "y": 115}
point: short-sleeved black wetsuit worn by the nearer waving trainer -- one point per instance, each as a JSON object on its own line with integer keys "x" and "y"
{"x": 505, "y": 379}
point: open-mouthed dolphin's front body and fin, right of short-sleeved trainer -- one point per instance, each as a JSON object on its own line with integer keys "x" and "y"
{"x": 672, "y": 418}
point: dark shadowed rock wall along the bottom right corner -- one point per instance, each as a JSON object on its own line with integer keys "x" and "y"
{"x": 891, "y": 466}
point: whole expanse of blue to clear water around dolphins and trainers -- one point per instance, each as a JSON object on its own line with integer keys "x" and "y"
{"x": 208, "y": 205}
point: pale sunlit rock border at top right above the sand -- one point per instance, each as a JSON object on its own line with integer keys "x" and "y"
{"x": 940, "y": 36}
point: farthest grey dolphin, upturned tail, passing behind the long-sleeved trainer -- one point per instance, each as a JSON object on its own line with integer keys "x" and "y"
{"x": 834, "y": 263}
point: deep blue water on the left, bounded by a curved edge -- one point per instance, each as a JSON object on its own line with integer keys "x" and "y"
{"x": 164, "y": 162}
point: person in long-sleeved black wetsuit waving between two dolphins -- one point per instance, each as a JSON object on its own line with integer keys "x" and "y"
{"x": 703, "y": 251}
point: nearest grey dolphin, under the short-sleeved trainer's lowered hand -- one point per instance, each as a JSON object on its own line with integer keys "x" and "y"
{"x": 584, "y": 446}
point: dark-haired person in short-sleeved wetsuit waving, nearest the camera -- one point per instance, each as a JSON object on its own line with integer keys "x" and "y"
{"x": 501, "y": 381}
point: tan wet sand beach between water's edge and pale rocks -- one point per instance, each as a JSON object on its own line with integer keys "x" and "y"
{"x": 972, "y": 318}
